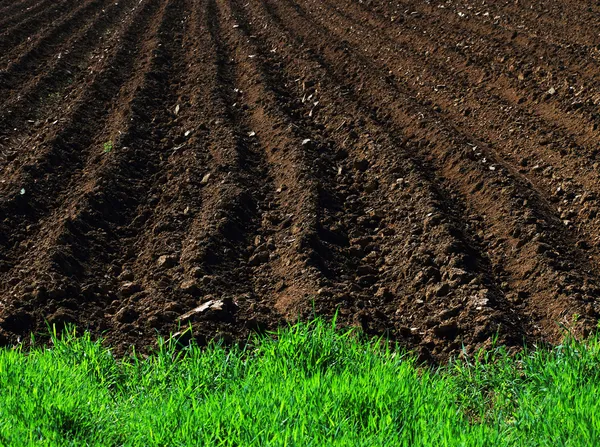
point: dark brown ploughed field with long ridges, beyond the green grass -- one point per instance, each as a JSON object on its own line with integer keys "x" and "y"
{"x": 429, "y": 170}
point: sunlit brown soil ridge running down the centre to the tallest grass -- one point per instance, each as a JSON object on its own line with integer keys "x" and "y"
{"x": 292, "y": 212}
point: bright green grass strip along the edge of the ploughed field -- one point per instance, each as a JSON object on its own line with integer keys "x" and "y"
{"x": 308, "y": 386}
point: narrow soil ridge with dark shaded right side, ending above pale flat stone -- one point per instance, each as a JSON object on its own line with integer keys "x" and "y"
{"x": 234, "y": 178}
